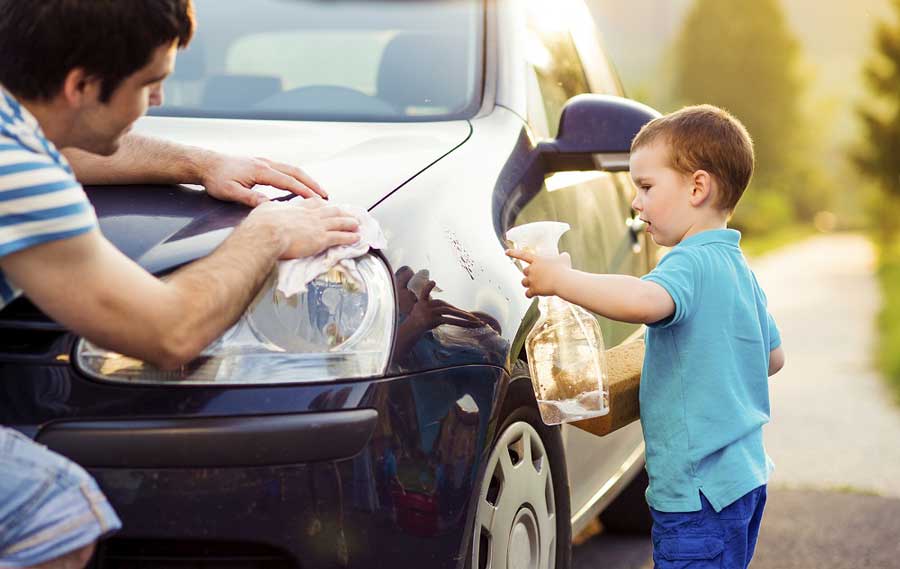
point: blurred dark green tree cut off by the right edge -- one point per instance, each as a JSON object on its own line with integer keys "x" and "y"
{"x": 879, "y": 154}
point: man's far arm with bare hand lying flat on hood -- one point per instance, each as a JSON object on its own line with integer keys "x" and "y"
{"x": 144, "y": 160}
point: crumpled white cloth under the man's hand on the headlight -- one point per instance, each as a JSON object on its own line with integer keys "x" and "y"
{"x": 294, "y": 275}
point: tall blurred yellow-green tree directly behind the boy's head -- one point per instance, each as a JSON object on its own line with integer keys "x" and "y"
{"x": 742, "y": 56}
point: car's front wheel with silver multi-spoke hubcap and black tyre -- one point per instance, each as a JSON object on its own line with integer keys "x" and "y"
{"x": 522, "y": 518}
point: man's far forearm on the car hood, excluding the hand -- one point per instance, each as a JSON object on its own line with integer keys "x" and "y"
{"x": 139, "y": 159}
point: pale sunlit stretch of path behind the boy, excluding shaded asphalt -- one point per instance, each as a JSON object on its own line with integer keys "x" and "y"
{"x": 834, "y": 423}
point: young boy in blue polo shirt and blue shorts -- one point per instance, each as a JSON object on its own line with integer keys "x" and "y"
{"x": 710, "y": 344}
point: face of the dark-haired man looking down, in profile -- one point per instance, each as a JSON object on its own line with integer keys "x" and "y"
{"x": 100, "y": 126}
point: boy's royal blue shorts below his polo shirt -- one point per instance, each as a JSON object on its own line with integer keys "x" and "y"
{"x": 706, "y": 539}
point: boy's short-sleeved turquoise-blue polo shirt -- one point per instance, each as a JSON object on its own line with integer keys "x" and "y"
{"x": 705, "y": 390}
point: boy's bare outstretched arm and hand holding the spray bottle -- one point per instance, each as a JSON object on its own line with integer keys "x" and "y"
{"x": 618, "y": 297}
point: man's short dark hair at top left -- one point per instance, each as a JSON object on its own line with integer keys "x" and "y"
{"x": 41, "y": 41}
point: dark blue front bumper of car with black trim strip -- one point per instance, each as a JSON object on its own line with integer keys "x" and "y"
{"x": 365, "y": 474}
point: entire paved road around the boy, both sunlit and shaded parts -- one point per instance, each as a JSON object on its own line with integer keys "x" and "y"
{"x": 834, "y": 499}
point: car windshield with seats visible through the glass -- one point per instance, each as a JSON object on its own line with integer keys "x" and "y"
{"x": 330, "y": 60}
